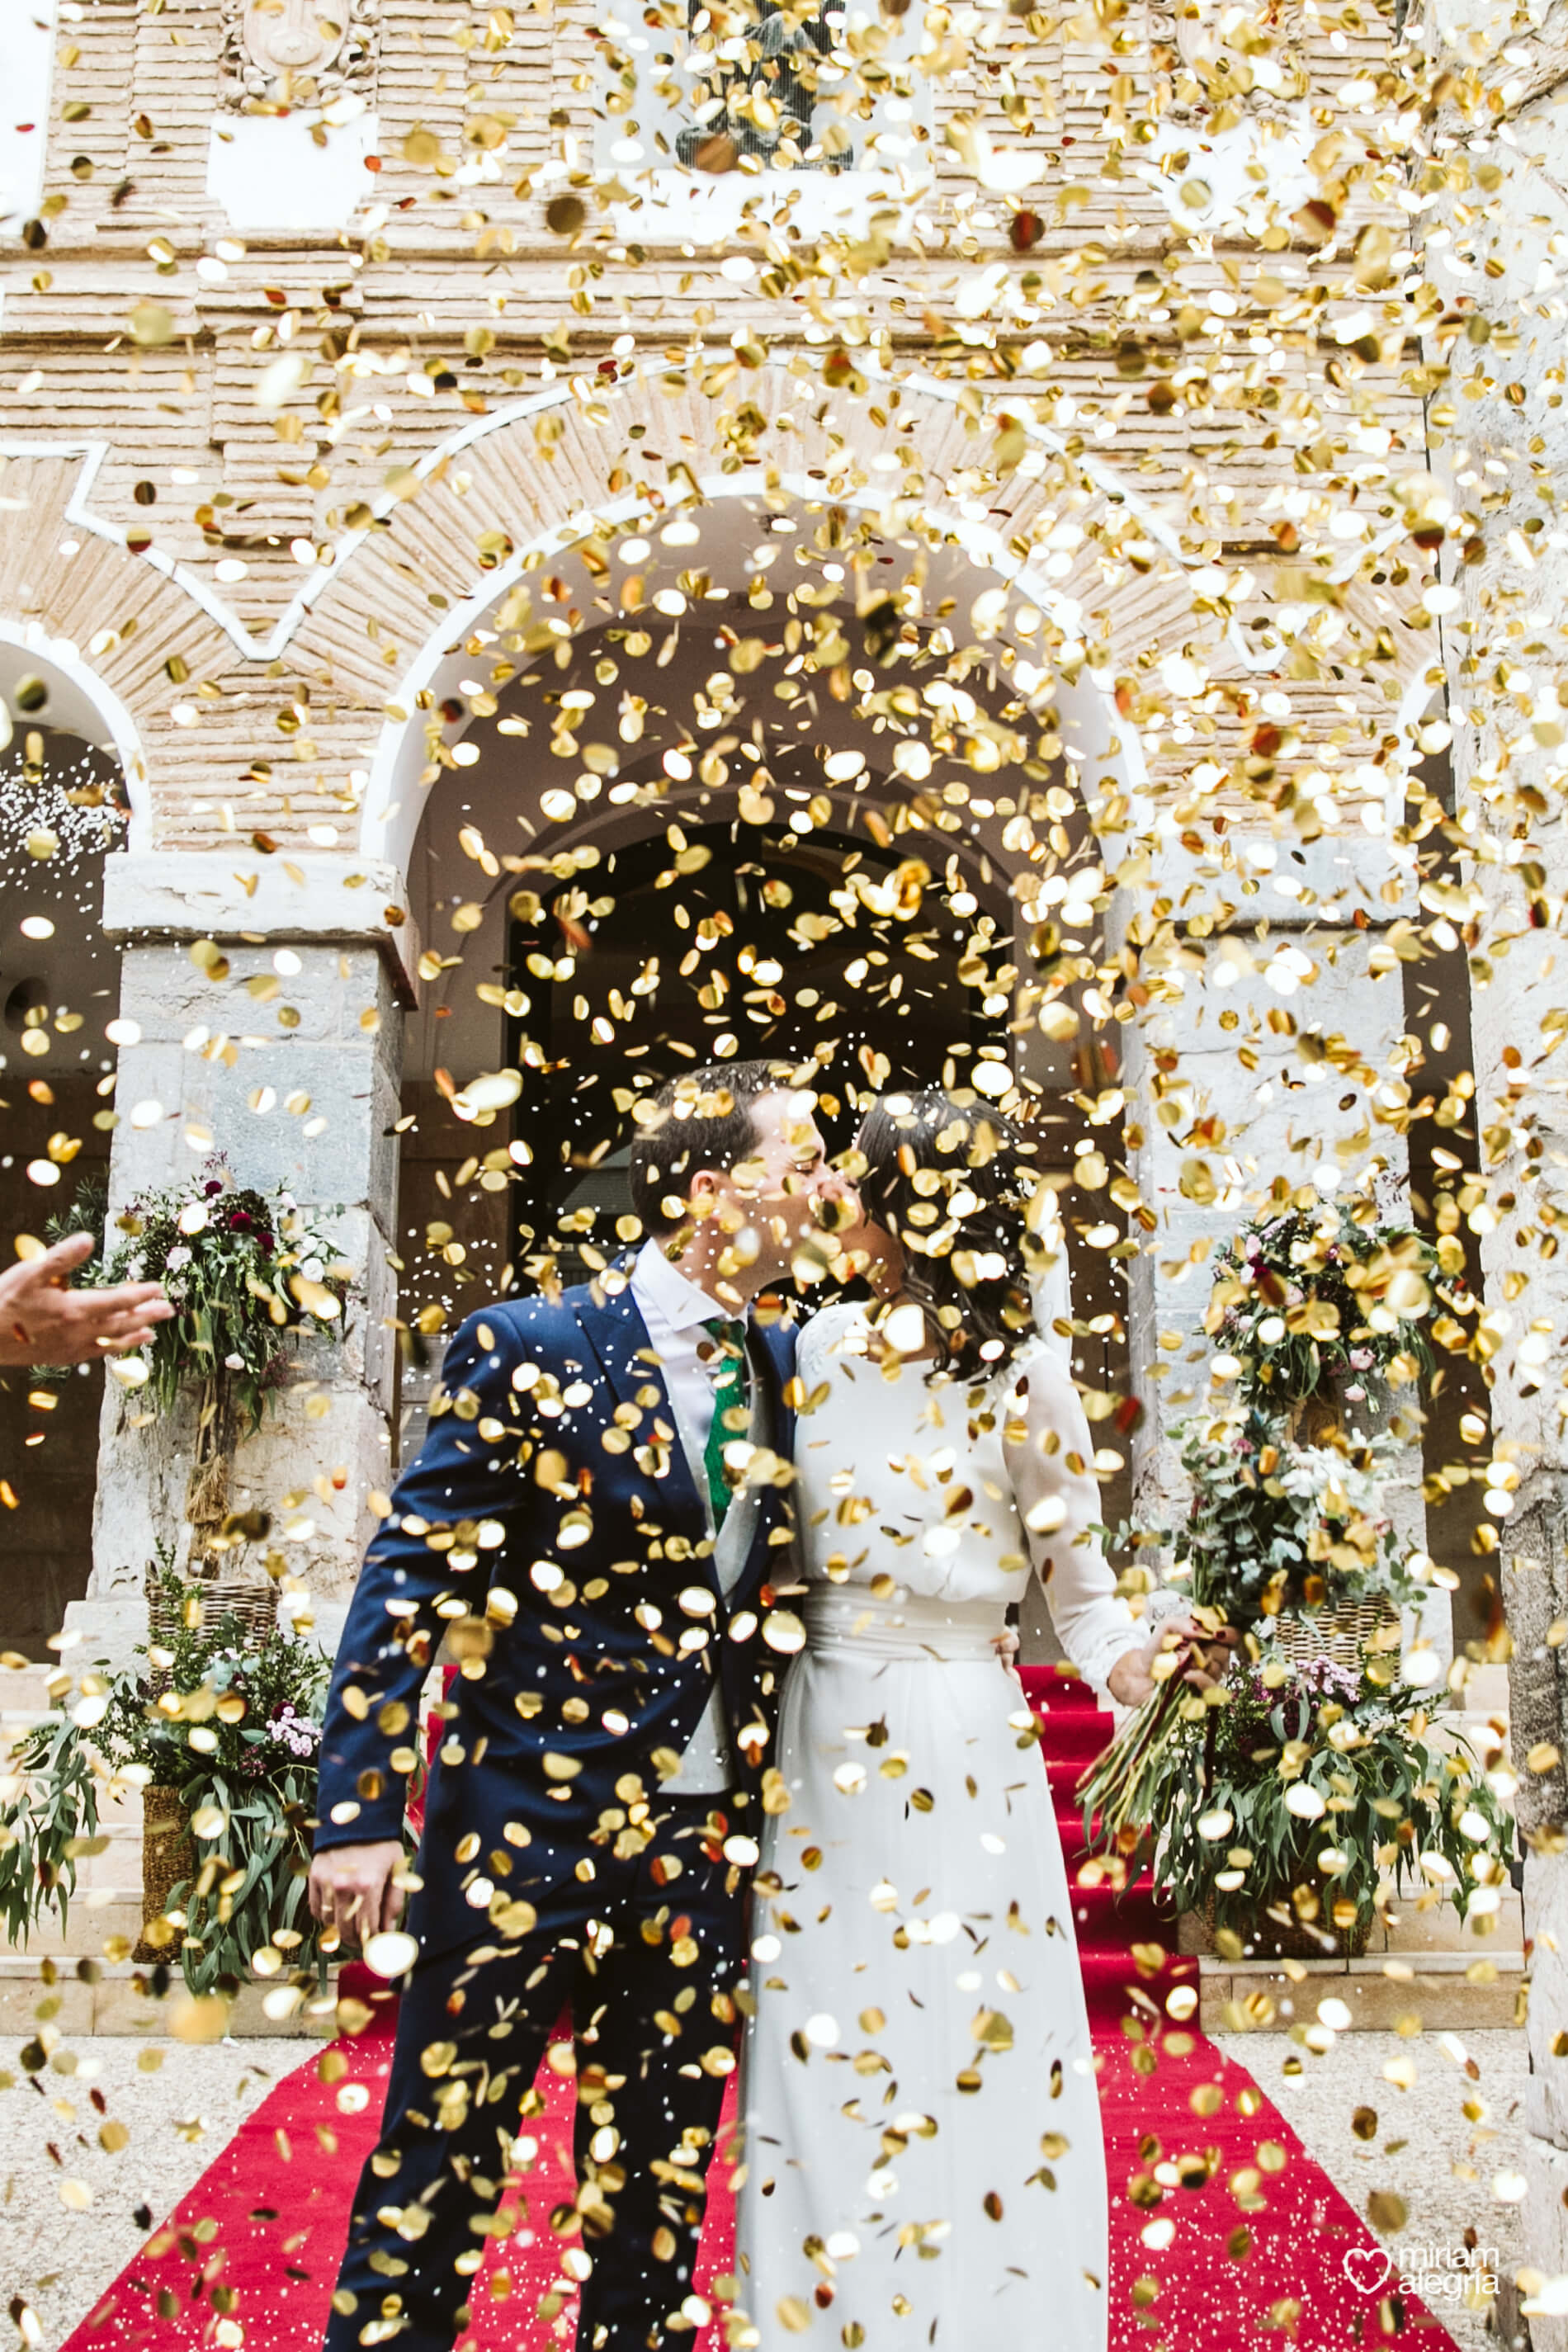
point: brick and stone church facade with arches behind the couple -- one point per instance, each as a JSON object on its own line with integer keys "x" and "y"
{"x": 1045, "y": 488}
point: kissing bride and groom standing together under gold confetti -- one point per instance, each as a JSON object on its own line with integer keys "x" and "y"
{"x": 735, "y": 1760}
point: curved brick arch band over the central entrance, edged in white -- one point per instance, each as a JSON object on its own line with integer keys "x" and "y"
{"x": 530, "y": 486}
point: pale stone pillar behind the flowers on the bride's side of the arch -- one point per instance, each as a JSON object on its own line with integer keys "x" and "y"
{"x": 1261, "y": 1057}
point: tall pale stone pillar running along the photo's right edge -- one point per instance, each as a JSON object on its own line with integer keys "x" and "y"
{"x": 1508, "y": 681}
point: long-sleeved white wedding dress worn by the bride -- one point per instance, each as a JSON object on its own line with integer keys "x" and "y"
{"x": 923, "y": 2156}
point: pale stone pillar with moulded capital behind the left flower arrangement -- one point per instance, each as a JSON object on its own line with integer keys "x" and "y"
{"x": 279, "y": 1045}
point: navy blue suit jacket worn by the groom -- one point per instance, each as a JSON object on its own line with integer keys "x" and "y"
{"x": 554, "y": 1532}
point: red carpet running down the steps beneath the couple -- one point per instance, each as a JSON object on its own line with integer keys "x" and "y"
{"x": 257, "y": 2243}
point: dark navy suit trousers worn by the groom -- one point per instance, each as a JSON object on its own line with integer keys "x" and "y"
{"x": 648, "y": 1958}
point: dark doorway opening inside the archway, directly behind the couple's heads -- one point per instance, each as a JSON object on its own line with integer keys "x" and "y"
{"x": 800, "y": 947}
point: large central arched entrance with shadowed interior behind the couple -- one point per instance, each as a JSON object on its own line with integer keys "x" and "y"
{"x": 711, "y": 829}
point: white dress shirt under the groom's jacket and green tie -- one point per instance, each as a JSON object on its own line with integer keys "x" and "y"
{"x": 676, "y": 1311}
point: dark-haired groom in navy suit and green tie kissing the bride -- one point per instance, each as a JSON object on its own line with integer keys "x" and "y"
{"x": 596, "y": 1523}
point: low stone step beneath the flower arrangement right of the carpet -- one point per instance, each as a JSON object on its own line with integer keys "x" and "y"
{"x": 1379, "y": 1996}
